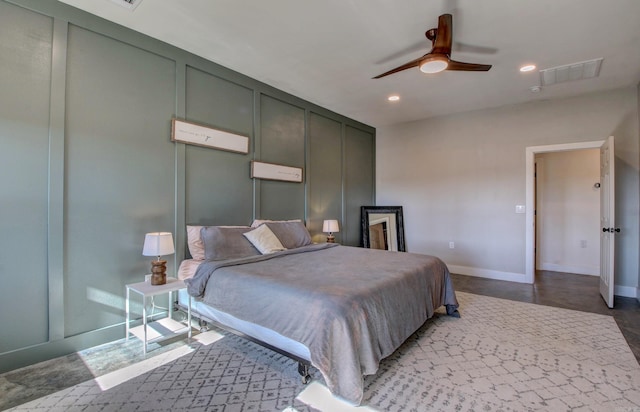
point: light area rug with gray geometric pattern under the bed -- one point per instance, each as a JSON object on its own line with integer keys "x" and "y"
{"x": 500, "y": 356}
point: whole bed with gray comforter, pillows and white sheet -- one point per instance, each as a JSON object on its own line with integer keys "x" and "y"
{"x": 340, "y": 309}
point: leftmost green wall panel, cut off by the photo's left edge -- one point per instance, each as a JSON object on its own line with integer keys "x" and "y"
{"x": 25, "y": 81}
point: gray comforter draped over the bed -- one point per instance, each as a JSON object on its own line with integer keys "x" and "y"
{"x": 350, "y": 306}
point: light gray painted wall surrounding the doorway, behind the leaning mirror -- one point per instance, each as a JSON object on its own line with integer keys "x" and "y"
{"x": 460, "y": 177}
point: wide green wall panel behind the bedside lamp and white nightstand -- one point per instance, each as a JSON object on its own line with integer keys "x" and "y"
{"x": 119, "y": 172}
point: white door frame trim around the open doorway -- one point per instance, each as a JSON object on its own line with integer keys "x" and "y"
{"x": 530, "y": 231}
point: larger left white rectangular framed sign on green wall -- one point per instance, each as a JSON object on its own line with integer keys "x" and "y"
{"x": 200, "y": 135}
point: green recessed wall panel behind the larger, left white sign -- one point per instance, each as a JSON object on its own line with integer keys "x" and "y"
{"x": 218, "y": 188}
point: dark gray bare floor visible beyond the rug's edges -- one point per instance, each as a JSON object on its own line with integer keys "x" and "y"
{"x": 567, "y": 291}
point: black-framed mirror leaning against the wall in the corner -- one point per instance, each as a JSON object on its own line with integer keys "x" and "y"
{"x": 382, "y": 228}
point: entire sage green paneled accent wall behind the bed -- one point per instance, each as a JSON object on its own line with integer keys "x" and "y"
{"x": 88, "y": 168}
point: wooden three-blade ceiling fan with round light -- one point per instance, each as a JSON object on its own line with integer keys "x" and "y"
{"x": 438, "y": 58}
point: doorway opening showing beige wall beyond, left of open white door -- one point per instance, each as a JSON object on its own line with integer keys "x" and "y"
{"x": 567, "y": 211}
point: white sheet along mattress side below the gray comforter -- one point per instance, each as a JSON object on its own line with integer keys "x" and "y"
{"x": 187, "y": 269}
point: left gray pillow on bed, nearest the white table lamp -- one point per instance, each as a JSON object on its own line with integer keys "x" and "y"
{"x": 222, "y": 243}
